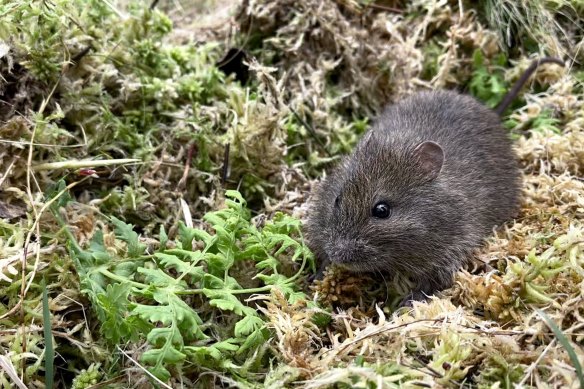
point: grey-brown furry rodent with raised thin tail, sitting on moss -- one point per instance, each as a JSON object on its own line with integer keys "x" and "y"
{"x": 423, "y": 188}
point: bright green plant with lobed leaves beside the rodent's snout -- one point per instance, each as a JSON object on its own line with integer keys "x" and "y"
{"x": 184, "y": 298}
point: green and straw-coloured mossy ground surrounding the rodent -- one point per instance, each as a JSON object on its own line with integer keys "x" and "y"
{"x": 170, "y": 116}
